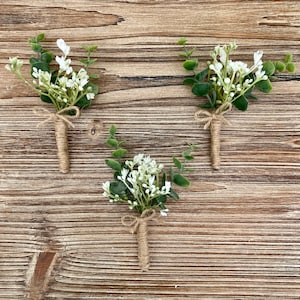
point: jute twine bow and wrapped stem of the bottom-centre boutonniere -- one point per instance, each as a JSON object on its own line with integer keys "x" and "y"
{"x": 139, "y": 226}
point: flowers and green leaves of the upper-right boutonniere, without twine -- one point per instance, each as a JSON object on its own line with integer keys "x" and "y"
{"x": 223, "y": 80}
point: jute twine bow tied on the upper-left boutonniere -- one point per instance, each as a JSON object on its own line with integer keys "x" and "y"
{"x": 50, "y": 116}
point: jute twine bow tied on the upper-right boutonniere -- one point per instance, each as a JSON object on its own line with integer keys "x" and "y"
{"x": 218, "y": 114}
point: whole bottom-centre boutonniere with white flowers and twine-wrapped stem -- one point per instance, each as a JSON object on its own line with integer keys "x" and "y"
{"x": 145, "y": 186}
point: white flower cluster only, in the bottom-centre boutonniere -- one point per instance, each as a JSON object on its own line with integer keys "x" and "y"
{"x": 141, "y": 178}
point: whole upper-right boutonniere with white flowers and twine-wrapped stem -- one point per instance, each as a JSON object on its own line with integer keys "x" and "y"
{"x": 225, "y": 84}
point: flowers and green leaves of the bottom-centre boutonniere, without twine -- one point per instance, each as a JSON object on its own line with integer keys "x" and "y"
{"x": 141, "y": 182}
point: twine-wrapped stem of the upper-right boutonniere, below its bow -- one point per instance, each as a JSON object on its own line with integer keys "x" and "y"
{"x": 215, "y": 142}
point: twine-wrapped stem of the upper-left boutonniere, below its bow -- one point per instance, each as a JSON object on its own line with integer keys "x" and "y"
{"x": 61, "y": 135}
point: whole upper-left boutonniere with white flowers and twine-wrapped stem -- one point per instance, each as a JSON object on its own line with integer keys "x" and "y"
{"x": 60, "y": 85}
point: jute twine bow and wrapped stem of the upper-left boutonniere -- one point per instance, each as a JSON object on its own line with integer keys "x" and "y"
{"x": 61, "y": 122}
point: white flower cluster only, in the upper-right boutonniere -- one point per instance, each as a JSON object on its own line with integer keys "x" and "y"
{"x": 230, "y": 75}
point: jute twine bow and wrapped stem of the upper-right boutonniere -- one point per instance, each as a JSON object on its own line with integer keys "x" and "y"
{"x": 214, "y": 120}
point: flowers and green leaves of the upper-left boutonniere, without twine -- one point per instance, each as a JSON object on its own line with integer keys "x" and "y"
{"x": 61, "y": 86}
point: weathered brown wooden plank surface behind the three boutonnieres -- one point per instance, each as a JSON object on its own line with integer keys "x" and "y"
{"x": 235, "y": 234}
